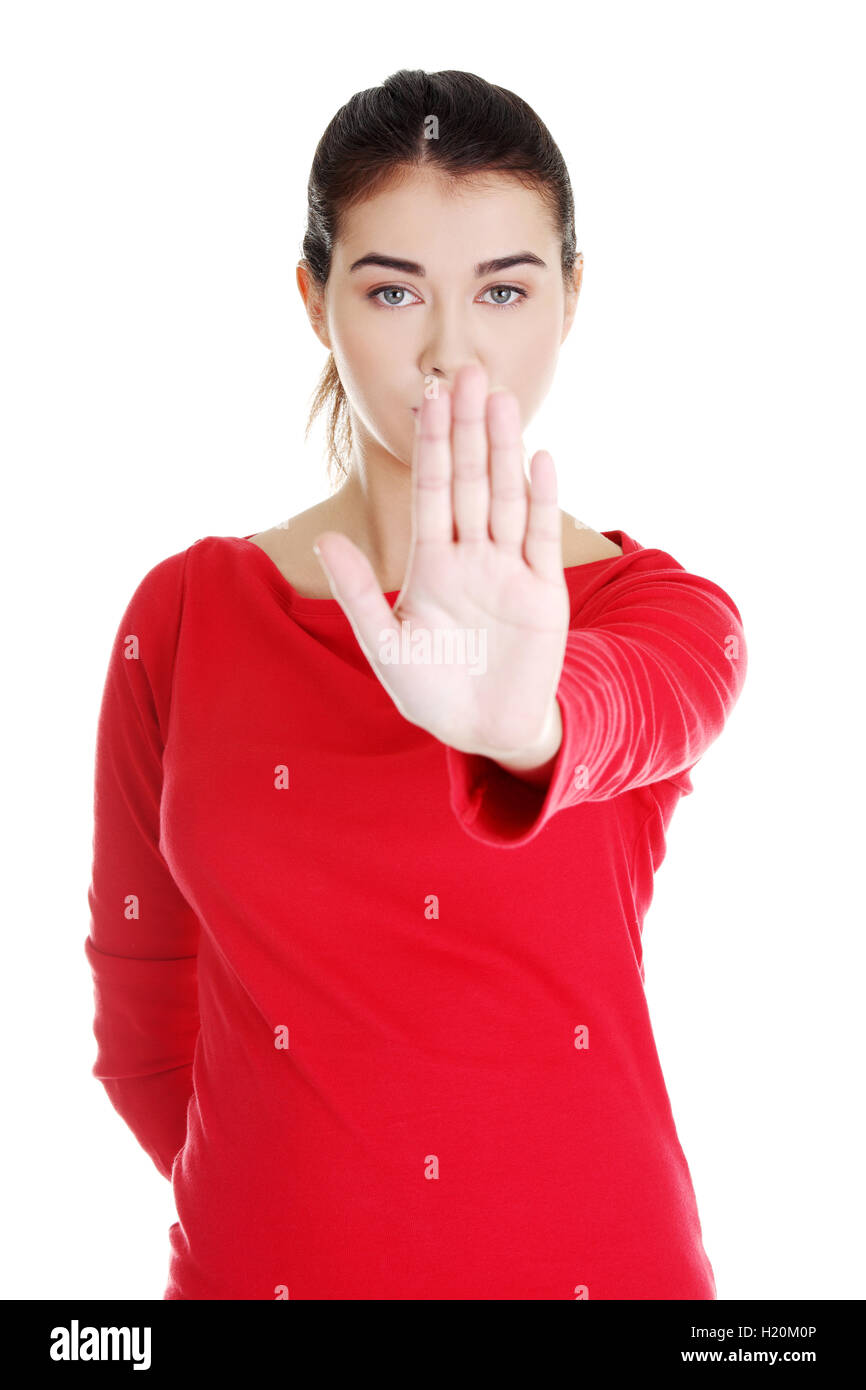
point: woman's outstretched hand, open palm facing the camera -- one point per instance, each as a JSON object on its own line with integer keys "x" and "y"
{"x": 475, "y": 646}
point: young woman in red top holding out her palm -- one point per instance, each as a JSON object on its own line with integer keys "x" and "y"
{"x": 380, "y": 793}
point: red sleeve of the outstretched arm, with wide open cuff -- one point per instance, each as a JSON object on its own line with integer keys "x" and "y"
{"x": 655, "y": 661}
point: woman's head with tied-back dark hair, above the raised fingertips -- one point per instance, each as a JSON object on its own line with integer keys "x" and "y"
{"x": 446, "y": 172}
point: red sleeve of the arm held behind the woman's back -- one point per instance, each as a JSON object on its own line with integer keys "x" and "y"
{"x": 144, "y": 936}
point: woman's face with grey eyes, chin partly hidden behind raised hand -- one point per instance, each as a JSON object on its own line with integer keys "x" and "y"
{"x": 397, "y": 330}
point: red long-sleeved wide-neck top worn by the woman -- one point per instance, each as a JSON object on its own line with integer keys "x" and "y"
{"x": 373, "y": 1006}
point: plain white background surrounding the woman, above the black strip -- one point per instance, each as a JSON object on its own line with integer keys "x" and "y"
{"x": 158, "y": 366}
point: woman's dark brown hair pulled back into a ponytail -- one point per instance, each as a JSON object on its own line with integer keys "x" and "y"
{"x": 384, "y": 131}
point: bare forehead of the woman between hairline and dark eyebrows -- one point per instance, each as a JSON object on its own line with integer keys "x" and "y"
{"x": 446, "y": 222}
